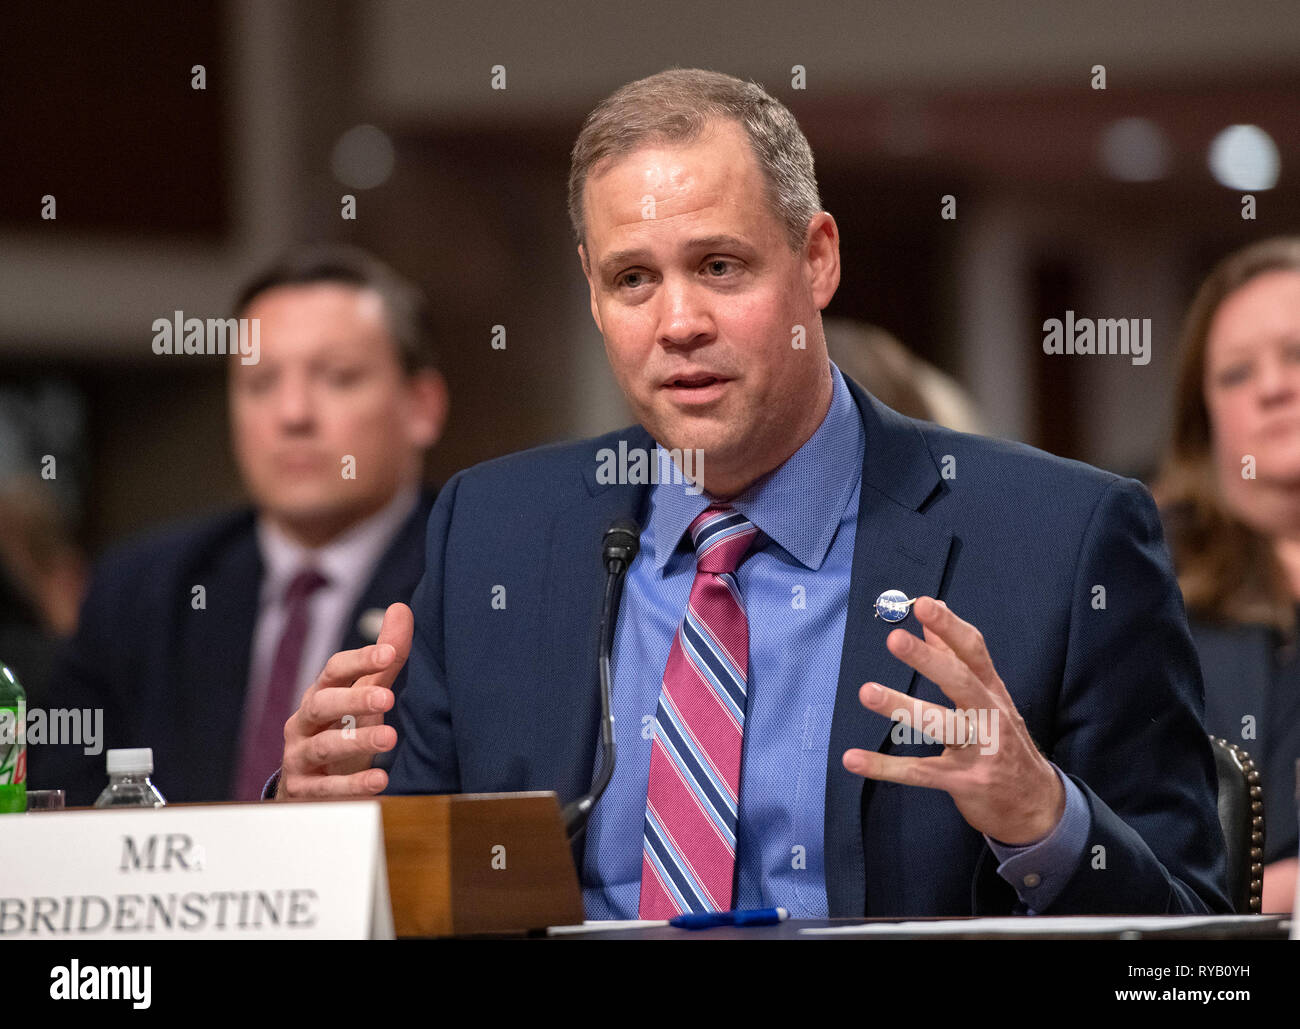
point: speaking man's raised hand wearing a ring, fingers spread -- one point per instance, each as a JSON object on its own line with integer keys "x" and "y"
{"x": 1003, "y": 787}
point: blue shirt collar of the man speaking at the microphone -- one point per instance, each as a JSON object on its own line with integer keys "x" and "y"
{"x": 799, "y": 505}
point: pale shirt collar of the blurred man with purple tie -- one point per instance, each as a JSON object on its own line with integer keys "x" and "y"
{"x": 346, "y": 562}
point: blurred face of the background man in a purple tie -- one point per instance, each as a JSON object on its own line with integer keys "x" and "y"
{"x": 328, "y": 388}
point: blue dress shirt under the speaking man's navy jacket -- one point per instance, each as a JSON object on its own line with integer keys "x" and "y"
{"x": 795, "y": 584}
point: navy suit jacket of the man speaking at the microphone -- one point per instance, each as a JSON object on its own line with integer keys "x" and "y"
{"x": 1016, "y": 541}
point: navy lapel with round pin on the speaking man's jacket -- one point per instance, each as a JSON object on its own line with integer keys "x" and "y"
{"x": 896, "y": 548}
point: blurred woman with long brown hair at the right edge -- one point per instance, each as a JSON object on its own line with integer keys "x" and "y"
{"x": 1230, "y": 493}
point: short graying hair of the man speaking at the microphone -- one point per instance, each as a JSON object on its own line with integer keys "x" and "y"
{"x": 677, "y": 107}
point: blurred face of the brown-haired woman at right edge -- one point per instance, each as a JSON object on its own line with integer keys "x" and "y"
{"x": 1253, "y": 388}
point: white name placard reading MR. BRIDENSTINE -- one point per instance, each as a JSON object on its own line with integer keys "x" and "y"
{"x": 226, "y": 871}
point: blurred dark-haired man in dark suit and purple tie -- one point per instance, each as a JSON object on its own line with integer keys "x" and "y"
{"x": 330, "y": 429}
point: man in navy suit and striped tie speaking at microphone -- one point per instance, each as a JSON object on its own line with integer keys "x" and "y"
{"x": 709, "y": 262}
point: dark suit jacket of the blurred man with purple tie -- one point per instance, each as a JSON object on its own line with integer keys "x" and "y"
{"x": 172, "y": 678}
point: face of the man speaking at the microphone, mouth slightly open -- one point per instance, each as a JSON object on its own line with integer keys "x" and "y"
{"x": 701, "y": 303}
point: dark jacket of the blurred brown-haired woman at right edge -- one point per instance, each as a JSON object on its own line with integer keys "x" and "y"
{"x": 1240, "y": 666}
